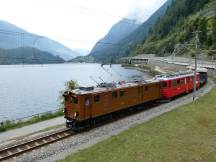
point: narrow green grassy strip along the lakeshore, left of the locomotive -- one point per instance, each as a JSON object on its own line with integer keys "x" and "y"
{"x": 8, "y": 125}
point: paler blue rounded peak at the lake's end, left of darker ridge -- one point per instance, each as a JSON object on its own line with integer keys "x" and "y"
{"x": 119, "y": 31}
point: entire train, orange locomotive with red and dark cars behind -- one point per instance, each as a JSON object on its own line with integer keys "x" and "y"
{"x": 85, "y": 106}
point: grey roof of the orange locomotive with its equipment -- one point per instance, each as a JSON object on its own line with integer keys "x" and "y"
{"x": 117, "y": 87}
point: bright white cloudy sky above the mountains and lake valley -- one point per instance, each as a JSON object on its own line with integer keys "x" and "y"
{"x": 78, "y": 24}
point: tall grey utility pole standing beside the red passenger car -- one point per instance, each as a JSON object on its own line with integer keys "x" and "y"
{"x": 196, "y": 57}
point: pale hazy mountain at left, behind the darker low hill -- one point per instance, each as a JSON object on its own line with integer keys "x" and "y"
{"x": 15, "y": 37}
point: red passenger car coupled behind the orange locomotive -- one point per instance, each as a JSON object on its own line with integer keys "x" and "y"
{"x": 174, "y": 85}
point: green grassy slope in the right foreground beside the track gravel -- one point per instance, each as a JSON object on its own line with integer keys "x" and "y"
{"x": 187, "y": 134}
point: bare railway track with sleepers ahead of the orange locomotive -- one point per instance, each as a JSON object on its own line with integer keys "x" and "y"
{"x": 16, "y": 150}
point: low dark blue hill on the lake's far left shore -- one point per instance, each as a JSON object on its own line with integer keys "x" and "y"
{"x": 27, "y": 55}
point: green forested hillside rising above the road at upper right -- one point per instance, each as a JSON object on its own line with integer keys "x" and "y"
{"x": 182, "y": 18}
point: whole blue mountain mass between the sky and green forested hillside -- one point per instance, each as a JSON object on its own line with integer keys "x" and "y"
{"x": 124, "y": 44}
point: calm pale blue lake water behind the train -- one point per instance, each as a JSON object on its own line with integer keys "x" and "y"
{"x": 27, "y": 90}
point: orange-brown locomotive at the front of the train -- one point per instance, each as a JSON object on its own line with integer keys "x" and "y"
{"x": 82, "y": 106}
